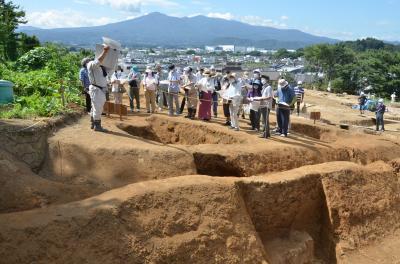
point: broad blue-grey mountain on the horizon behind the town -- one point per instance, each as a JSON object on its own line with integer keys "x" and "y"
{"x": 156, "y": 29}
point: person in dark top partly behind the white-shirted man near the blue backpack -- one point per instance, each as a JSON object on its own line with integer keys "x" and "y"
{"x": 255, "y": 91}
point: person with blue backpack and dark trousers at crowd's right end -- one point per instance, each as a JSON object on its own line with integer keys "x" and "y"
{"x": 285, "y": 96}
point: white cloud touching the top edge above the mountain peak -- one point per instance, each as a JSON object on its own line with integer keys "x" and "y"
{"x": 135, "y": 6}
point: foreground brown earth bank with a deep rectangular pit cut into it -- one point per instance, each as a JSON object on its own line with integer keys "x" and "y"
{"x": 212, "y": 220}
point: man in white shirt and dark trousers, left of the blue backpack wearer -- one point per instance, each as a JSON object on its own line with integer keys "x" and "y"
{"x": 265, "y": 105}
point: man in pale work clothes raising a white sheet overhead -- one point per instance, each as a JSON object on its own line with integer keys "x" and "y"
{"x": 97, "y": 89}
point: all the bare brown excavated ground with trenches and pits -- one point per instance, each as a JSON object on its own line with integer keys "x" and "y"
{"x": 159, "y": 189}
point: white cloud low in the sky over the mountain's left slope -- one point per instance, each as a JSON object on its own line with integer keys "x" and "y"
{"x": 64, "y": 18}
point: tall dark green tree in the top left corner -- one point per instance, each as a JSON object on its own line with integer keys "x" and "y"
{"x": 10, "y": 17}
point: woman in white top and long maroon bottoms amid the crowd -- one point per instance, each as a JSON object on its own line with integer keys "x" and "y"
{"x": 206, "y": 88}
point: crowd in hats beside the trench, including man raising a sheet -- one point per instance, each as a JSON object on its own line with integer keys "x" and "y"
{"x": 202, "y": 92}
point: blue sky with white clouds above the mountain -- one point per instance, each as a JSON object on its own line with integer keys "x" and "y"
{"x": 339, "y": 19}
